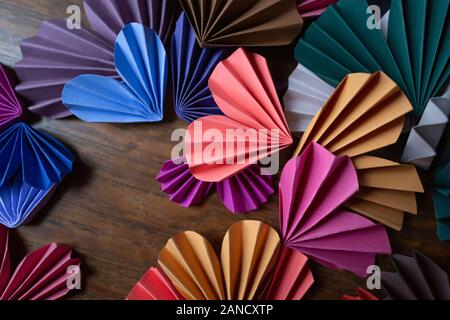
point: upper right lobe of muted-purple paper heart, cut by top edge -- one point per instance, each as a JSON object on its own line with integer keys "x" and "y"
{"x": 108, "y": 17}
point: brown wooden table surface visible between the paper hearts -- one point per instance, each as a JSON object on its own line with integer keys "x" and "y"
{"x": 111, "y": 209}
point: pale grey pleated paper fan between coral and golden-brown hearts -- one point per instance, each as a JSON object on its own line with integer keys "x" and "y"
{"x": 305, "y": 96}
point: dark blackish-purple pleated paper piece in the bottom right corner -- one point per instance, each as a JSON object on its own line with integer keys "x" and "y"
{"x": 417, "y": 278}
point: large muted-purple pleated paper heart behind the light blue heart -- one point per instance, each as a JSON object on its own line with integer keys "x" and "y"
{"x": 57, "y": 55}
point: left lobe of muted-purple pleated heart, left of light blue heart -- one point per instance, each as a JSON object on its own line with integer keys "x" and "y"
{"x": 55, "y": 56}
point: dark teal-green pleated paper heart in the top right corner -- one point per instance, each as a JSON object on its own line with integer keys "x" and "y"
{"x": 339, "y": 43}
